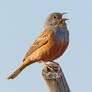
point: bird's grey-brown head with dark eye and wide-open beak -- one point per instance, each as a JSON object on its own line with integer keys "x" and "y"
{"x": 54, "y": 19}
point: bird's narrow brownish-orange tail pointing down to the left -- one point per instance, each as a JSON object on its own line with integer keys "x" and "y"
{"x": 16, "y": 72}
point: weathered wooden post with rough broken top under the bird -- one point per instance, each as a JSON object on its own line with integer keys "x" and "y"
{"x": 55, "y": 78}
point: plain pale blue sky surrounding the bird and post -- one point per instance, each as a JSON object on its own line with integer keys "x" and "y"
{"x": 21, "y": 21}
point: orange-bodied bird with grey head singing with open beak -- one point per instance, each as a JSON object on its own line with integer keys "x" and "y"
{"x": 49, "y": 45}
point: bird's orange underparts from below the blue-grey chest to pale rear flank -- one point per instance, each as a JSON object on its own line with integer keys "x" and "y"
{"x": 51, "y": 50}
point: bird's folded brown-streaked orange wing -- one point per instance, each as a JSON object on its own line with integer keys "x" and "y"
{"x": 39, "y": 42}
